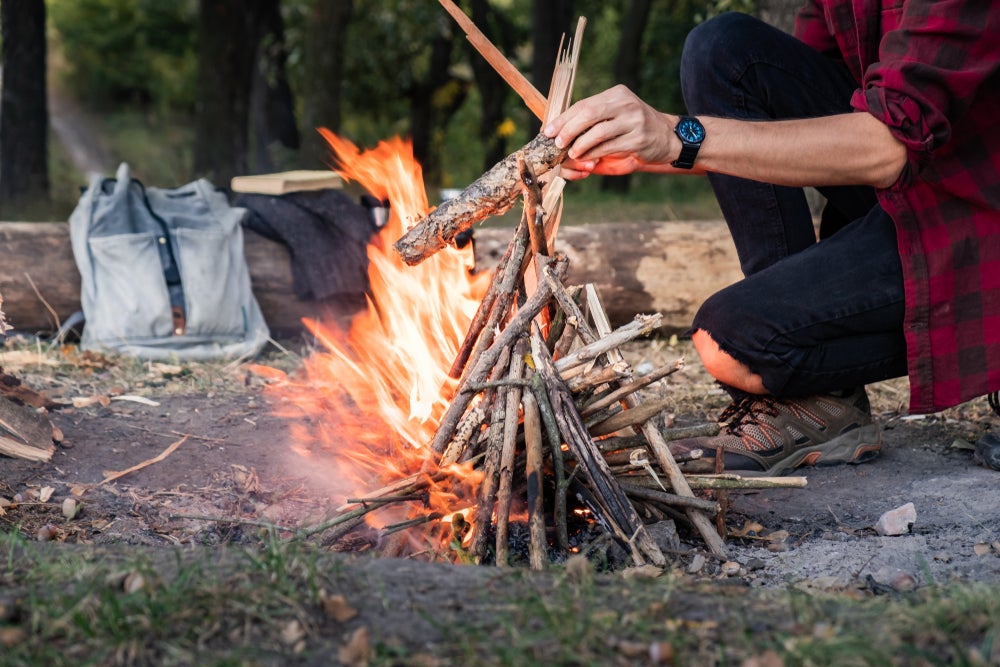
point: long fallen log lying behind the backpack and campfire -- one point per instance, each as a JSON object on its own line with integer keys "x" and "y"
{"x": 638, "y": 267}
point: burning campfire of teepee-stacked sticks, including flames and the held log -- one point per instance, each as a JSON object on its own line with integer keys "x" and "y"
{"x": 460, "y": 404}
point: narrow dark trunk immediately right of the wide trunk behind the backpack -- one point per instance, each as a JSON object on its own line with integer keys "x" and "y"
{"x": 272, "y": 106}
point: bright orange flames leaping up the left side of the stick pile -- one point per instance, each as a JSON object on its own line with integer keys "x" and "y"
{"x": 375, "y": 394}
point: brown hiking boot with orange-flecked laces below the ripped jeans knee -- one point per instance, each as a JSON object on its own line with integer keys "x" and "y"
{"x": 763, "y": 435}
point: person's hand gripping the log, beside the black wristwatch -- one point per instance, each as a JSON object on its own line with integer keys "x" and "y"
{"x": 614, "y": 133}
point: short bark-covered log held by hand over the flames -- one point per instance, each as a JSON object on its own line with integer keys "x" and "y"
{"x": 493, "y": 193}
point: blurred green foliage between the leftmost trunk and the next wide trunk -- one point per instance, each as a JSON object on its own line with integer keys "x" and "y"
{"x": 128, "y": 51}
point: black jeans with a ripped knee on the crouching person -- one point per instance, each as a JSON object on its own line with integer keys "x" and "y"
{"x": 809, "y": 317}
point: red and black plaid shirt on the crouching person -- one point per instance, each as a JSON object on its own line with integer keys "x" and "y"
{"x": 930, "y": 70}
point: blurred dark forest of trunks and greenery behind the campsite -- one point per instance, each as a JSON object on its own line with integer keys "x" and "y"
{"x": 217, "y": 88}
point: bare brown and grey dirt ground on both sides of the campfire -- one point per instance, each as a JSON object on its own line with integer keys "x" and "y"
{"x": 237, "y": 462}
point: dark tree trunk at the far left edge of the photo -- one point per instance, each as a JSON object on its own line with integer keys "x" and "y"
{"x": 24, "y": 115}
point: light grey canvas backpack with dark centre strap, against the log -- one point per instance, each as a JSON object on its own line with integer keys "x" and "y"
{"x": 163, "y": 272}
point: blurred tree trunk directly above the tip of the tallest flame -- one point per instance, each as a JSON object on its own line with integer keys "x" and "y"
{"x": 325, "y": 41}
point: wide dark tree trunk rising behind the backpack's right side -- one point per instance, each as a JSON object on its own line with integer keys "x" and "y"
{"x": 226, "y": 50}
